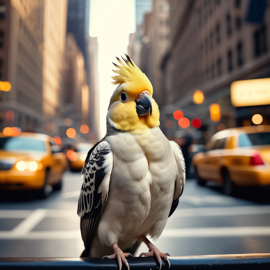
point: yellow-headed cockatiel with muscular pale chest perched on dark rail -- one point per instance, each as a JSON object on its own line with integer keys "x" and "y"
{"x": 133, "y": 177}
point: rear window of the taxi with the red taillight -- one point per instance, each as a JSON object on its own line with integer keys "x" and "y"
{"x": 253, "y": 139}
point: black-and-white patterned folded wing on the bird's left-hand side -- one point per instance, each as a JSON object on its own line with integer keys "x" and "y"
{"x": 95, "y": 189}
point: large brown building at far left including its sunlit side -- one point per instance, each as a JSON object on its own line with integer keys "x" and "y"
{"x": 31, "y": 56}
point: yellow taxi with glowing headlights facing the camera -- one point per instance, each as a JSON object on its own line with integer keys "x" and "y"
{"x": 31, "y": 161}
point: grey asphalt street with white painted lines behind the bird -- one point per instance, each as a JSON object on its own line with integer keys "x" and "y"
{"x": 206, "y": 222}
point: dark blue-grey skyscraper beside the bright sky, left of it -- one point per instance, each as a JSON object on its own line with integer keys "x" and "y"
{"x": 78, "y": 25}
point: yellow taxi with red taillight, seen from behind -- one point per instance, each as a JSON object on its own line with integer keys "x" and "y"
{"x": 235, "y": 158}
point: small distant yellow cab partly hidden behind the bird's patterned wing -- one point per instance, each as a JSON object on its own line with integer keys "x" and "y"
{"x": 77, "y": 155}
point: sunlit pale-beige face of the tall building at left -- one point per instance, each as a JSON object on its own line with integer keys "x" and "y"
{"x": 53, "y": 50}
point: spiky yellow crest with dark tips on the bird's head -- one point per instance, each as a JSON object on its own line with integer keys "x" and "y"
{"x": 132, "y": 78}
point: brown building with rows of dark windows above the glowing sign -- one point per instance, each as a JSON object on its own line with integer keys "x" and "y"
{"x": 213, "y": 44}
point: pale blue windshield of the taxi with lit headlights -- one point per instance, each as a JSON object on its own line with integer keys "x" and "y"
{"x": 17, "y": 143}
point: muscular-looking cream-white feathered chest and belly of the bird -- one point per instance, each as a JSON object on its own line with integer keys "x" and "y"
{"x": 141, "y": 188}
